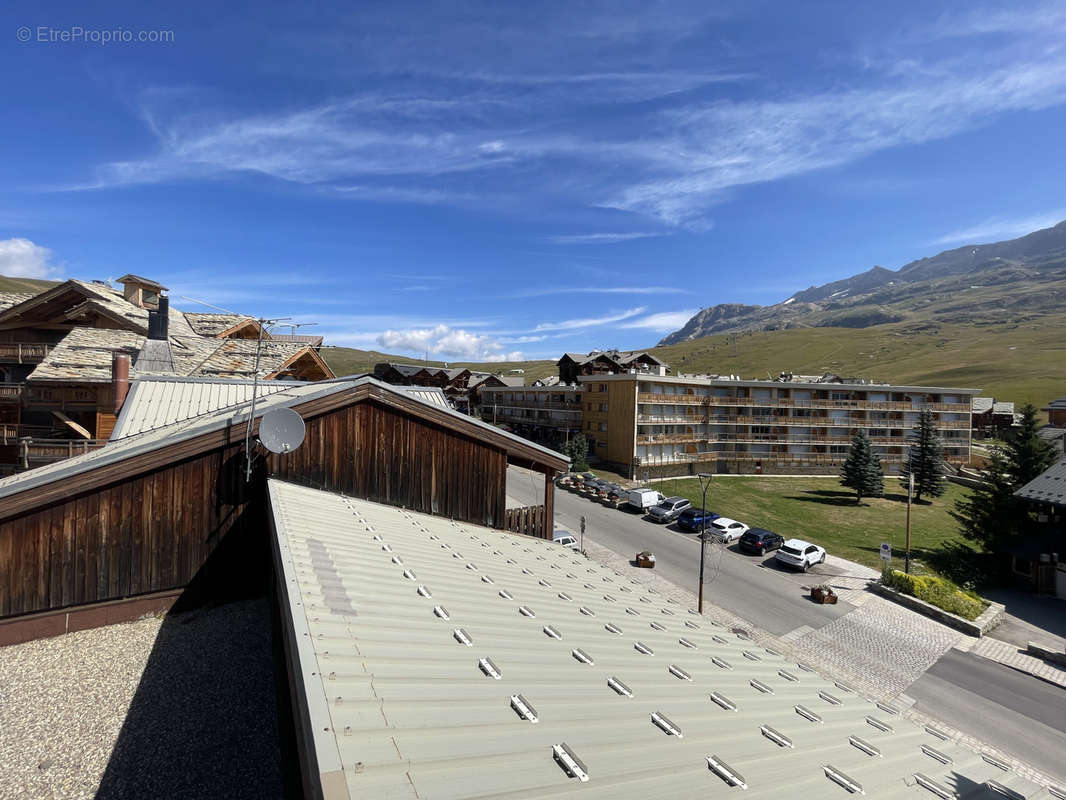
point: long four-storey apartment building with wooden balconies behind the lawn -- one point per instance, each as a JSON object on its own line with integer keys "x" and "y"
{"x": 796, "y": 425}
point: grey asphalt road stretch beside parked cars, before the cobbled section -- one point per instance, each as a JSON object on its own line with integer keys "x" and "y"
{"x": 750, "y": 587}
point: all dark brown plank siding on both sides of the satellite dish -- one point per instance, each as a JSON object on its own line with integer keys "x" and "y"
{"x": 86, "y": 541}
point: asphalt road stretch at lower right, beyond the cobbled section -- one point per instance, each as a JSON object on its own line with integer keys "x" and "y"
{"x": 1010, "y": 710}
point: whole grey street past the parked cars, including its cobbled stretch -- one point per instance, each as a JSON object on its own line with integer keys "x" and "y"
{"x": 1012, "y": 711}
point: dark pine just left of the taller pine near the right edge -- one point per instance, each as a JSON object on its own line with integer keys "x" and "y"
{"x": 992, "y": 515}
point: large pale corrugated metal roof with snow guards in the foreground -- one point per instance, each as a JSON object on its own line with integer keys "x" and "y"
{"x": 448, "y": 661}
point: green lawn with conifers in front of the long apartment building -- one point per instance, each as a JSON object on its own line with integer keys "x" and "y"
{"x": 821, "y": 511}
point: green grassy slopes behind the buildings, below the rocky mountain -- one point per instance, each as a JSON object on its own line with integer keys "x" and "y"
{"x": 1021, "y": 362}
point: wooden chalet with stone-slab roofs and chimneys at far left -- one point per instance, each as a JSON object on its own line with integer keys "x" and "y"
{"x": 58, "y": 347}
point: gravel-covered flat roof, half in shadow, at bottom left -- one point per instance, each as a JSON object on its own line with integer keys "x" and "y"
{"x": 176, "y": 708}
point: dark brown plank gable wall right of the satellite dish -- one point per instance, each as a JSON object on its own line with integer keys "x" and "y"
{"x": 382, "y": 455}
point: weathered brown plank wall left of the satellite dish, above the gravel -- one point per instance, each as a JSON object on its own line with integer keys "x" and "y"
{"x": 147, "y": 535}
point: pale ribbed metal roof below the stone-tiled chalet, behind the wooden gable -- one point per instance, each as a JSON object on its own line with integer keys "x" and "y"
{"x": 154, "y": 403}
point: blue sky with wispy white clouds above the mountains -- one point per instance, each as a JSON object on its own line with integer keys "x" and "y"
{"x": 492, "y": 181}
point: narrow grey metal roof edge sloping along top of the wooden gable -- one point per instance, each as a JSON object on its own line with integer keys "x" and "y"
{"x": 294, "y": 394}
